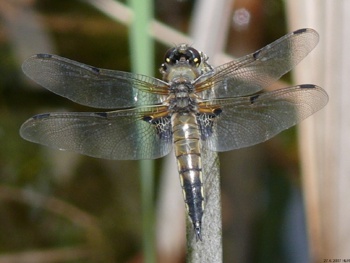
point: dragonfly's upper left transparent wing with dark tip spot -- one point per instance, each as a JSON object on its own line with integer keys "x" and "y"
{"x": 94, "y": 87}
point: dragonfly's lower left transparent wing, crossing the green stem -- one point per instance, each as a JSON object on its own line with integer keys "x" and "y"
{"x": 118, "y": 135}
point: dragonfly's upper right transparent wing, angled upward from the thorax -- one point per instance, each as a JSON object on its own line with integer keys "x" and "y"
{"x": 251, "y": 73}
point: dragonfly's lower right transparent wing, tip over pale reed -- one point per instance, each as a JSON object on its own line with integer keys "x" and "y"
{"x": 250, "y": 120}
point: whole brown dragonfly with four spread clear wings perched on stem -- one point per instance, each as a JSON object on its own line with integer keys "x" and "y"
{"x": 195, "y": 105}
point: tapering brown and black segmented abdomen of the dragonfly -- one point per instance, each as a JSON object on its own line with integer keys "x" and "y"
{"x": 187, "y": 145}
